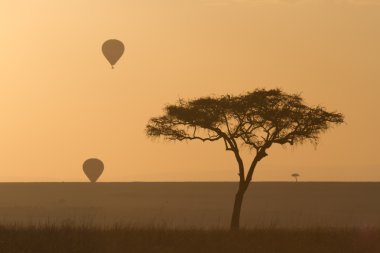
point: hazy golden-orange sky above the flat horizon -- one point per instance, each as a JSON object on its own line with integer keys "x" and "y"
{"x": 61, "y": 103}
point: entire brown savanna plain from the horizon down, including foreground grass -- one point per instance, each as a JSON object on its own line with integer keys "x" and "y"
{"x": 189, "y": 217}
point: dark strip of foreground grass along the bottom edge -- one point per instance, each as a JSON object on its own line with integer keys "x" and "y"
{"x": 91, "y": 239}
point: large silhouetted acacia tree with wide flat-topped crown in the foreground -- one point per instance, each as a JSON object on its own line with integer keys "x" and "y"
{"x": 256, "y": 119}
